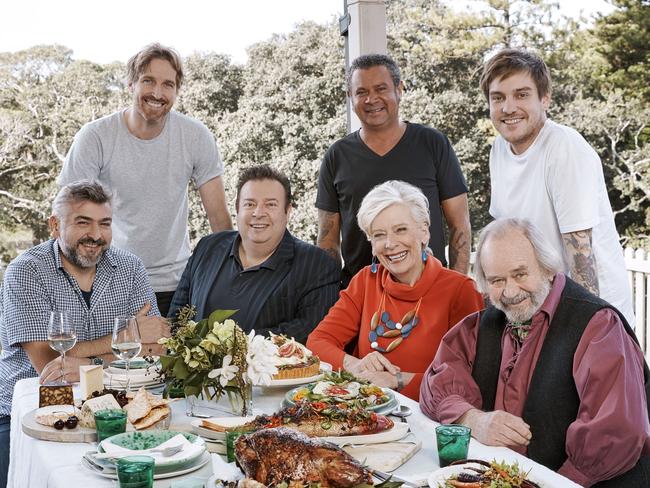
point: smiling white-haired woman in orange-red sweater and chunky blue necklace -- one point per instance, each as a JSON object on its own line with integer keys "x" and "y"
{"x": 398, "y": 308}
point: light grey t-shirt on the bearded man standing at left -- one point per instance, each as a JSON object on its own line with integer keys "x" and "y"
{"x": 149, "y": 181}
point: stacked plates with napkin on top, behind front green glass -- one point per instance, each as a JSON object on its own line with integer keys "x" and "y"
{"x": 189, "y": 459}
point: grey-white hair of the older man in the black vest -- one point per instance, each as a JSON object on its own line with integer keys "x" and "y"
{"x": 547, "y": 257}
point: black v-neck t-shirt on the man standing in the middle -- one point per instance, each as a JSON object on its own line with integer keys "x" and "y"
{"x": 423, "y": 157}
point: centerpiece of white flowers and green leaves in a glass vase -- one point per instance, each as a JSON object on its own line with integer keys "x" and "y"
{"x": 214, "y": 357}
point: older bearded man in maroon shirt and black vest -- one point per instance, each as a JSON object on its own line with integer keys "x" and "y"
{"x": 549, "y": 369}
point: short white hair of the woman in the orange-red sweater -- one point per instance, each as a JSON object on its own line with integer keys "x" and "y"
{"x": 390, "y": 193}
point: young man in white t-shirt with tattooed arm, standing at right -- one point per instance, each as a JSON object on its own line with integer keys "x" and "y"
{"x": 547, "y": 173}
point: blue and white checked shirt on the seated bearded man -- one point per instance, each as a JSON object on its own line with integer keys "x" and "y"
{"x": 35, "y": 283}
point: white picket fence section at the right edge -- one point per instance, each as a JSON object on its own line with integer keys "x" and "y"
{"x": 637, "y": 262}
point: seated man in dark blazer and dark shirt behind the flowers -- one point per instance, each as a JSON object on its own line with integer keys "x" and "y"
{"x": 277, "y": 283}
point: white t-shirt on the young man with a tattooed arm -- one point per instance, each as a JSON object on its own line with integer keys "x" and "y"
{"x": 558, "y": 184}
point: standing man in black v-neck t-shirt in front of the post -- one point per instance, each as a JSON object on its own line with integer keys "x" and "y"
{"x": 386, "y": 148}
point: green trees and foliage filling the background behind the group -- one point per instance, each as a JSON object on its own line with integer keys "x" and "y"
{"x": 286, "y": 105}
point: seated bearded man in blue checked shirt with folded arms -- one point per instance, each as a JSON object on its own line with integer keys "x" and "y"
{"x": 75, "y": 272}
